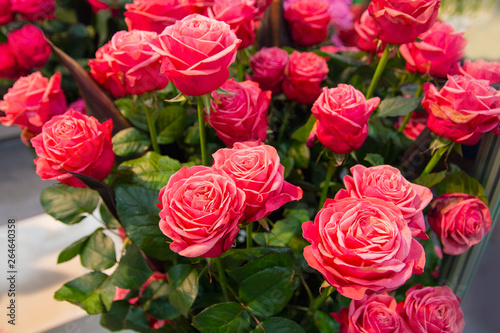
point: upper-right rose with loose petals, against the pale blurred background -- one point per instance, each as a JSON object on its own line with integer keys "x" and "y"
{"x": 437, "y": 52}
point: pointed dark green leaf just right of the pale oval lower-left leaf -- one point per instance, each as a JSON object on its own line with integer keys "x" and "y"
{"x": 132, "y": 271}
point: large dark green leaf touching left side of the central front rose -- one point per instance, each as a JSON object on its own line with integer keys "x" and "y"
{"x": 139, "y": 215}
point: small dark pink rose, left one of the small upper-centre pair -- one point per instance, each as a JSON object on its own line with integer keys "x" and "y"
{"x": 268, "y": 66}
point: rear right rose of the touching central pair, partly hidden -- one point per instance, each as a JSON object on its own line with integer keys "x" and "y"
{"x": 256, "y": 169}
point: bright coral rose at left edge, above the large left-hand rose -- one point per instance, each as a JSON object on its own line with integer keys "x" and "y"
{"x": 32, "y": 101}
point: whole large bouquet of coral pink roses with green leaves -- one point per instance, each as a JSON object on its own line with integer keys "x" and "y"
{"x": 254, "y": 188}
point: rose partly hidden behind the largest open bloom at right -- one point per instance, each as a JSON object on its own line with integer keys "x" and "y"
{"x": 386, "y": 183}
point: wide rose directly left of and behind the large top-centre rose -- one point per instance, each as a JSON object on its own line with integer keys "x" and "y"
{"x": 127, "y": 65}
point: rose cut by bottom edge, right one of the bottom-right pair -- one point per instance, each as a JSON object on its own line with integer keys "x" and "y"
{"x": 432, "y": 310}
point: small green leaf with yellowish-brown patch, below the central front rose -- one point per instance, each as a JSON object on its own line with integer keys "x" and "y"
{"x": 183, "y": 287}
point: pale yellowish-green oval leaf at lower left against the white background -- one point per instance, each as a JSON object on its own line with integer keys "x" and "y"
{"x": 98, "y": 253}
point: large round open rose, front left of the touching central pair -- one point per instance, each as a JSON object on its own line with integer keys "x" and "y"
{"x": 201, "y": 208}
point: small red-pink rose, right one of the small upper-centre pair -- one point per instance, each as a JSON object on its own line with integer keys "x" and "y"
{"x": 303, "y": 77}
